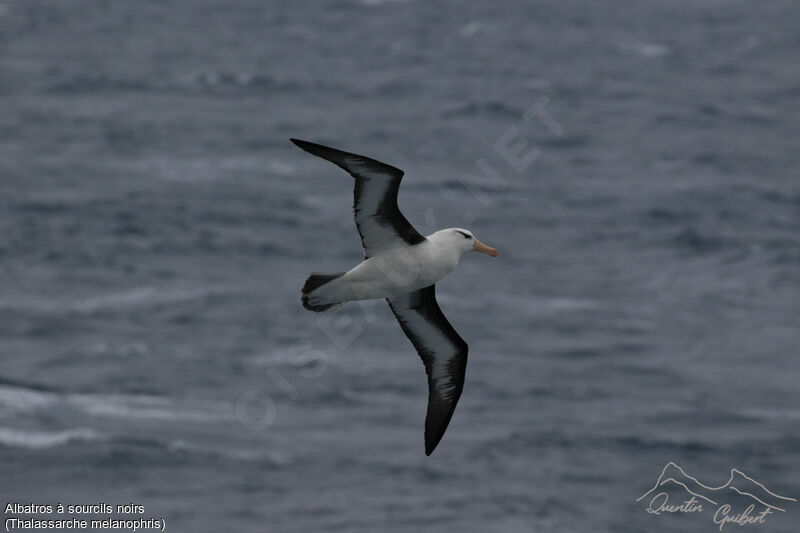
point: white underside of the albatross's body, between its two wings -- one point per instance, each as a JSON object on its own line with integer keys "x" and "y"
{"x": 390, "y": 273}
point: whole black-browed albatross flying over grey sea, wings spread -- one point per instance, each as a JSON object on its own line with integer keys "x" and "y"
{"x": 403, "y": 267}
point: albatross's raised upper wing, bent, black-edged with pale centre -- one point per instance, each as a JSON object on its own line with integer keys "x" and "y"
{"x": 378, "y": 219}
